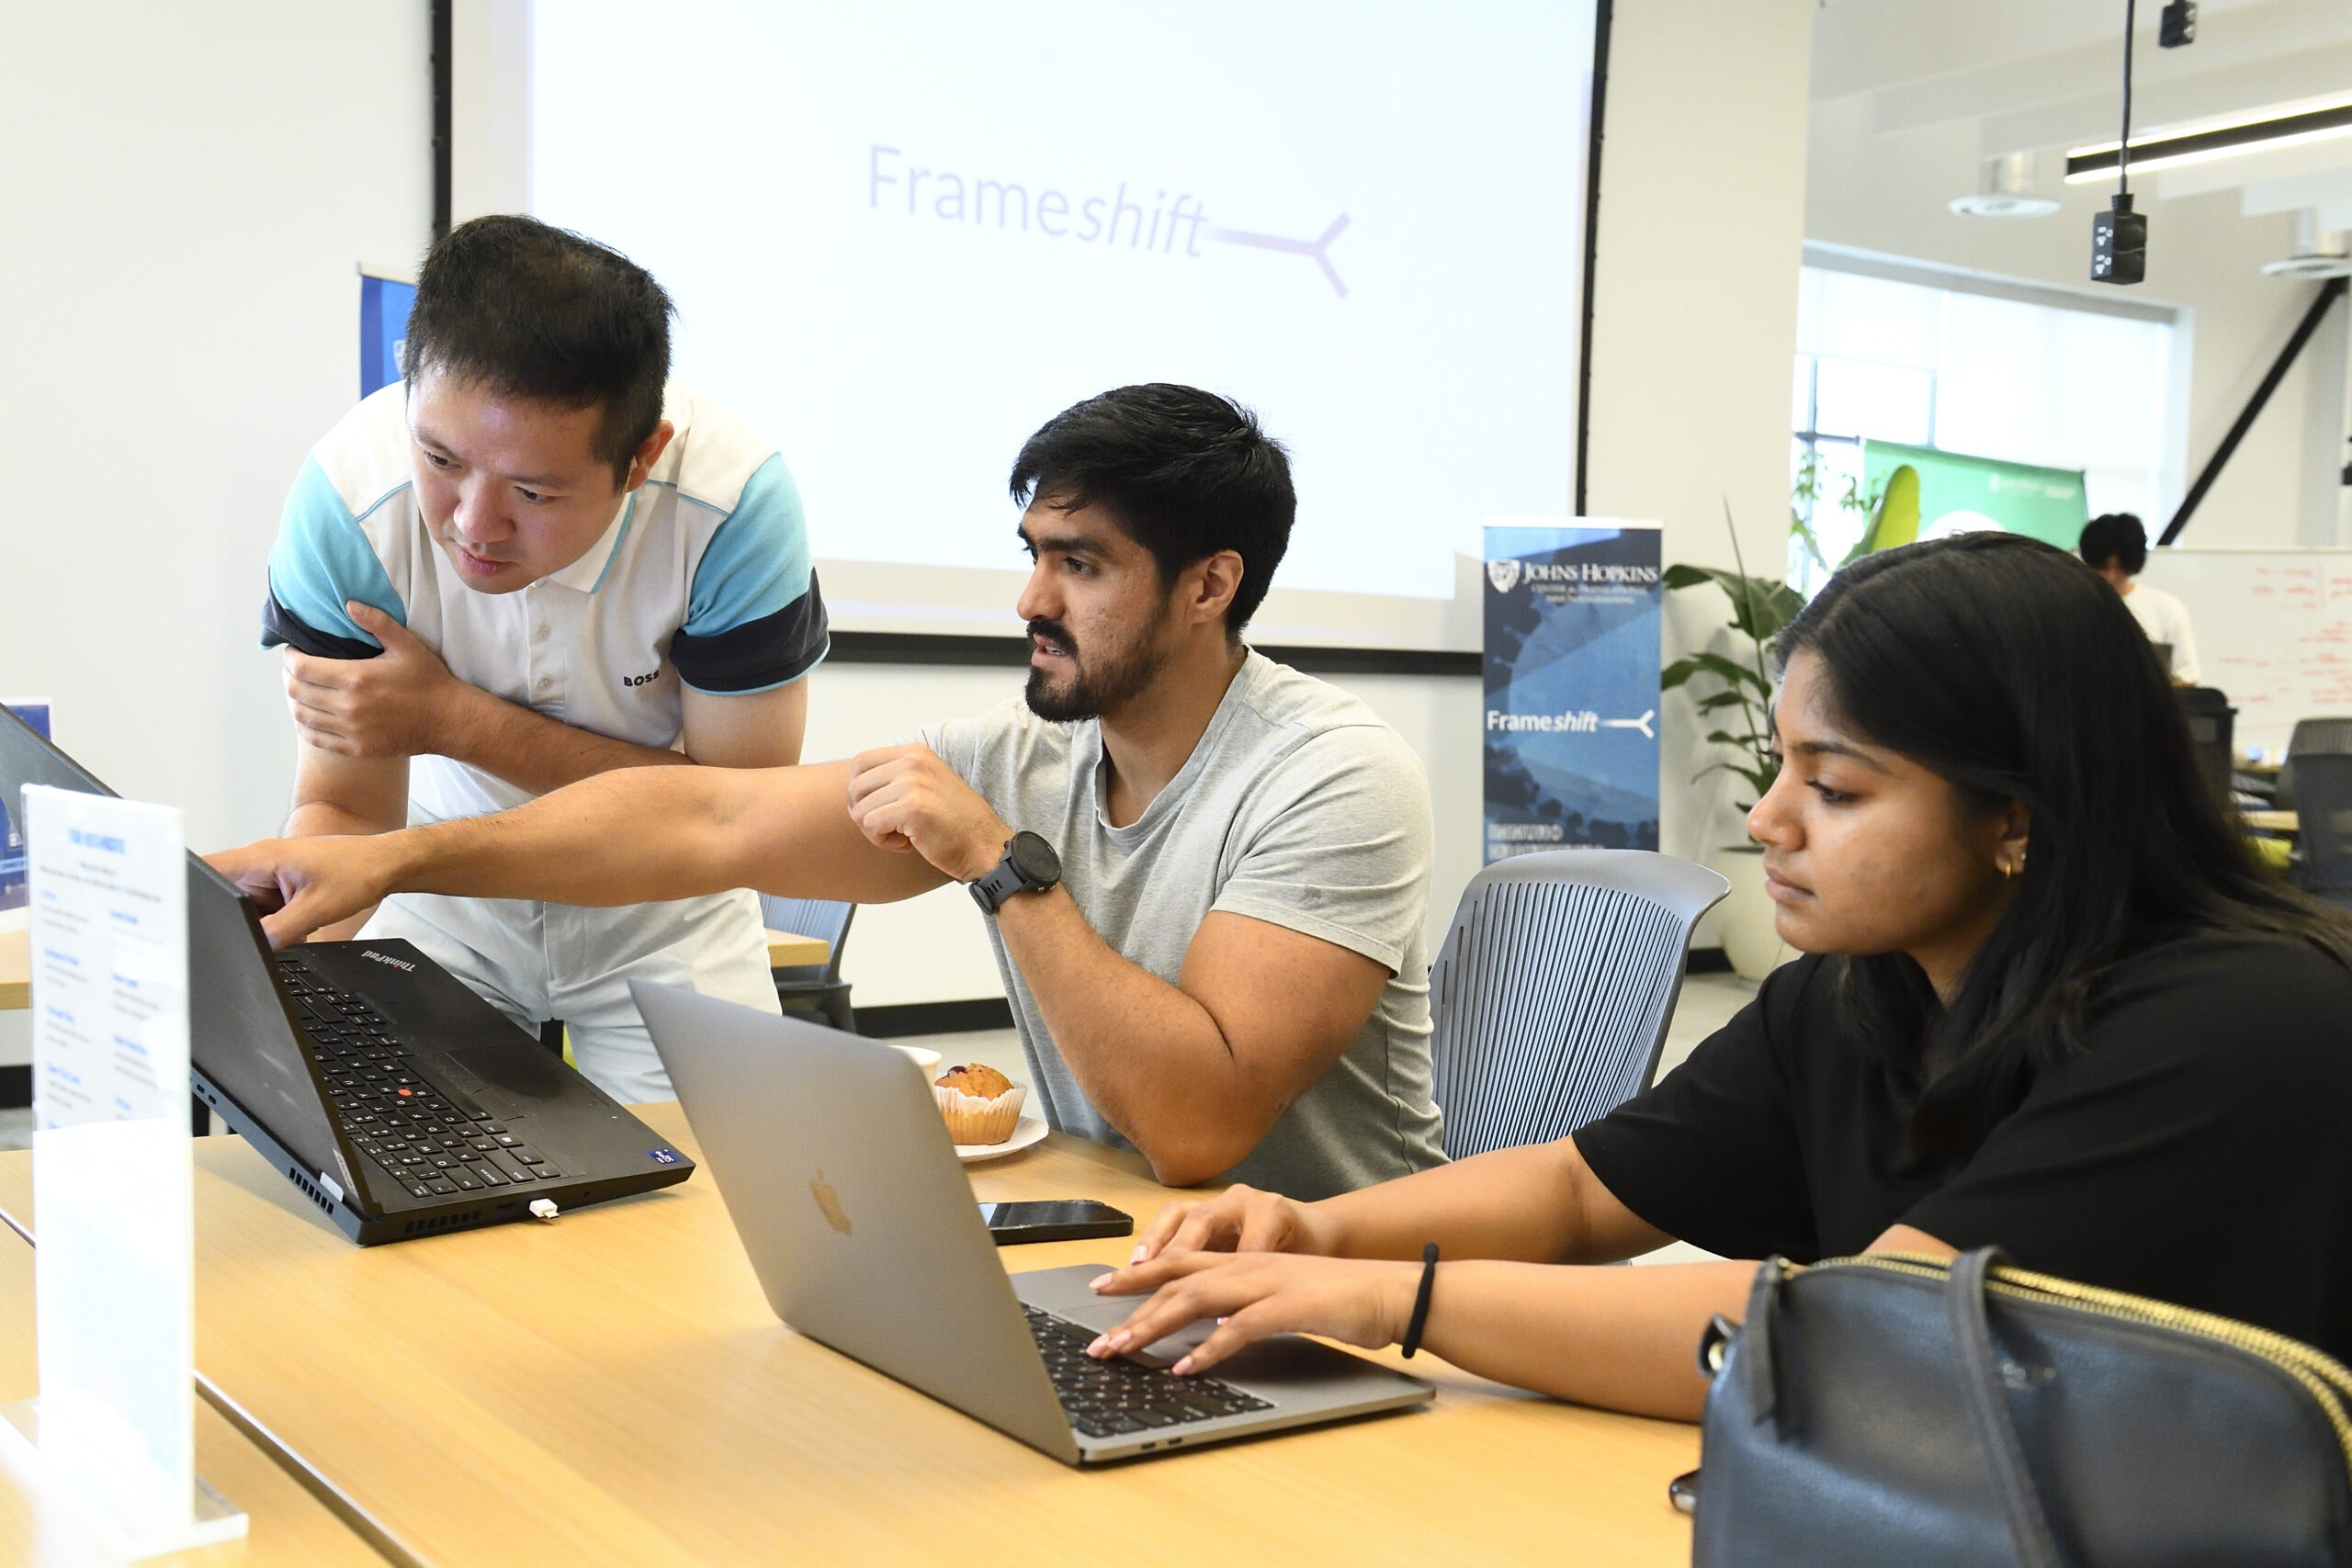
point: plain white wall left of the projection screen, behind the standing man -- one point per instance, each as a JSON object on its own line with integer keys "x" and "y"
{"x": 189, "y": 196}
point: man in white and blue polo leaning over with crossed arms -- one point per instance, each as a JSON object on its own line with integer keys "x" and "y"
{"x": 535, "y": 561}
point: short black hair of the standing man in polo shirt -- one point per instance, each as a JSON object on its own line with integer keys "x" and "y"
{"x": 542, "y": 311}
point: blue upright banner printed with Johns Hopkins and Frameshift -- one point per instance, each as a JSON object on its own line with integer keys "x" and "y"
{"x": 1572, "y": 688}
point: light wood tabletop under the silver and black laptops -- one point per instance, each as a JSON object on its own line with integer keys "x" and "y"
{"x": 613, "y": 1388}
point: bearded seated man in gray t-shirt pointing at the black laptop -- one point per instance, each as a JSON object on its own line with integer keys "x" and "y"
{"x": 1205, "y": 876}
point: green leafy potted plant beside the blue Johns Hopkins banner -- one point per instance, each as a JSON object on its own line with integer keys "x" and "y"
{"x": 1735, "y": 695}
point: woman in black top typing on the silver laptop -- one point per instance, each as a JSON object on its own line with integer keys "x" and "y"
{"x": 2052, "y": 1005}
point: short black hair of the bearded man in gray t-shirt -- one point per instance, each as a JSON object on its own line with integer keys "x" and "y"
{"x": 1187, "y": 474}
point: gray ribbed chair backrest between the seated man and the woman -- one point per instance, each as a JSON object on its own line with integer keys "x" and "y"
{"x": 1556, "y": 986}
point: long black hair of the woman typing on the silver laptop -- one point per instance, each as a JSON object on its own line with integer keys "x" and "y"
{"x": 2019, "y": 676}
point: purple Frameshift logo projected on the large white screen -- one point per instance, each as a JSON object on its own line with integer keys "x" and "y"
{"x": 1165, "y": 229}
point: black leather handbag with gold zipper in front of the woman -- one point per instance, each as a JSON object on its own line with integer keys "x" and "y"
{"x": 1899, "y": 1409}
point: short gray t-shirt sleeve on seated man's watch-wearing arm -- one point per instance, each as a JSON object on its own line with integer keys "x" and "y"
{"x": 1337, "y": 845}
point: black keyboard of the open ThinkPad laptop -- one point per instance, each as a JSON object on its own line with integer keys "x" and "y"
{"x": 432, "y": 1141}
